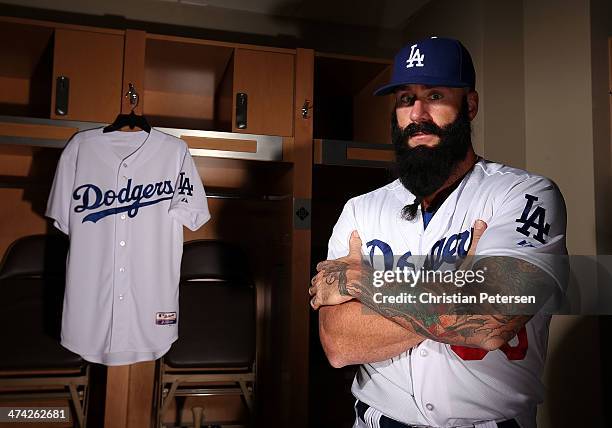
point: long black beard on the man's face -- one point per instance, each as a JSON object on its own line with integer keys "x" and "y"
{"x": 422, "y": 169}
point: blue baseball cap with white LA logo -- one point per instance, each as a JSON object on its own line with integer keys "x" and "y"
{"x": 435, "y": 61}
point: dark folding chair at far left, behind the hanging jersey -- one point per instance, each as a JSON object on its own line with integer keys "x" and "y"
{"x": 33, "y": 364}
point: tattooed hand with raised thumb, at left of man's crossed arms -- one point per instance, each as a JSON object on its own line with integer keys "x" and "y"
{"x": 338, "y": 279}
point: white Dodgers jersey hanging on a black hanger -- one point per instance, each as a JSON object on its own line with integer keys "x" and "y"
{"x": 123, "y": 198}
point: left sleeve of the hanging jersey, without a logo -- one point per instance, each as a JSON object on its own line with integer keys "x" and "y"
{"x": 58, "y": 203}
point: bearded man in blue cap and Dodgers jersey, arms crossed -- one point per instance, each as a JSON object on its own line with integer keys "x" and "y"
{"x": 443, "y": 365}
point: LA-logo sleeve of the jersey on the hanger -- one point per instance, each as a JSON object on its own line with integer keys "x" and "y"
{"x": 189, "y": 205}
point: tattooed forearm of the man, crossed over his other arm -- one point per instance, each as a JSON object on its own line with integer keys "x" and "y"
{"x": 483, "y": 325}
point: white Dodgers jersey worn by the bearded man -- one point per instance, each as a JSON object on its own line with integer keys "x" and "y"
{"x": 440, "y": 385}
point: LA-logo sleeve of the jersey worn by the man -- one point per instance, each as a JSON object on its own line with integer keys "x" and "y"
{"x": 530, "y": 224}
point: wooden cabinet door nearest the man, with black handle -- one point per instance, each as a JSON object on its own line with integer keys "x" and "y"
{"x": 267, "y": 79}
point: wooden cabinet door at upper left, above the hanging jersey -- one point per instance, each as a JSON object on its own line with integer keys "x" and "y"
{"x": 93, "y": 63}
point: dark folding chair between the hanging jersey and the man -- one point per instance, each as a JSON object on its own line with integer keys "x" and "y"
{"x": 215, "y": 352}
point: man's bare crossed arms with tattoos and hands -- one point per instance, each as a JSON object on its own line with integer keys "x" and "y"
{"x": 351, "y": 335}
